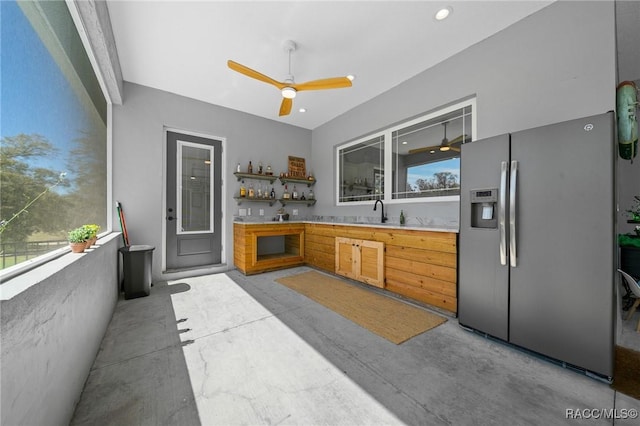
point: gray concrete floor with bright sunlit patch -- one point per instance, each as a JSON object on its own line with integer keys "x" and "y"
{"x": 229, "y": 349}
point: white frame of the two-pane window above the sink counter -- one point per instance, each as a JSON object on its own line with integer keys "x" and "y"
{"x": 387, "y": 135}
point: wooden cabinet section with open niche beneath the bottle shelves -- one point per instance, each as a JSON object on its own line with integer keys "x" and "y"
{"x": 266, "y": 247}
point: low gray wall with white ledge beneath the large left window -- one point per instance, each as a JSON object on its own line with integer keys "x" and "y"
{"x": 51, "y": 333}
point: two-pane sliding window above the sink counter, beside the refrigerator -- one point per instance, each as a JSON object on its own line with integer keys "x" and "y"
{"x": 423, "y": 160}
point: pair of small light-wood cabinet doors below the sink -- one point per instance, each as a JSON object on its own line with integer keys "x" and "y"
{"x": 361, "y": 260}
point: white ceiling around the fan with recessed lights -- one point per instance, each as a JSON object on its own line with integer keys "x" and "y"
{"x": 183, "y": 47}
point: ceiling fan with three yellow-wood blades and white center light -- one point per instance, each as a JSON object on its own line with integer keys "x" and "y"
{"x": 289, "y": 87}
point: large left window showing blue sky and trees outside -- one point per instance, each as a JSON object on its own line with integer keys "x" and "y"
{"x": 53, "y": 151}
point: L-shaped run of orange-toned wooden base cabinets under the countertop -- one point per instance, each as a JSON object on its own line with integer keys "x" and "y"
{"x": 420, "y": 265}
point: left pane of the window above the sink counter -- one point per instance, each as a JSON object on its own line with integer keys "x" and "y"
{"x": 361, "y": 170}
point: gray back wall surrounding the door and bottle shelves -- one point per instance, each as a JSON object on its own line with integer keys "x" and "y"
{"x": 138, "y": 150}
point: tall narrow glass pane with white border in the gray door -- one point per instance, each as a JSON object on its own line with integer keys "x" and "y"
{"x": 195, "y": 204}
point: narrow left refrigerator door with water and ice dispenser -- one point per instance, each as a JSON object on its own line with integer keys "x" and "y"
{"x": 483, "y": 293}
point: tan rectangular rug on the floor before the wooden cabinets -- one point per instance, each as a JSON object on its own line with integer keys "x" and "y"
{"x": 389, "y": 318}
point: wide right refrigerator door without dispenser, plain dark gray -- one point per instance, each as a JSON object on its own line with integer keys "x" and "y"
{"x": 561, "y": 289}
